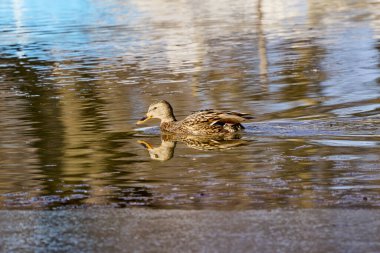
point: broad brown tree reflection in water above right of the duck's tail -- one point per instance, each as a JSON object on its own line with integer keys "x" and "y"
{"x": 300, "y": 72}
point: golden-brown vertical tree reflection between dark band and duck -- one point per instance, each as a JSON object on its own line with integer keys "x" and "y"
{"x": 91, "y": 149}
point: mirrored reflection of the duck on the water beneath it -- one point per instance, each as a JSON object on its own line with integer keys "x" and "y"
{"x": 165, "y": 151}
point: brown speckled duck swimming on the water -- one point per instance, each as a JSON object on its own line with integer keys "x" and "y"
{"x": 208, "y": 122}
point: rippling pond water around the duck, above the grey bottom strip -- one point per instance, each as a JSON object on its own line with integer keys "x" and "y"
{"x": 76, "y": 75}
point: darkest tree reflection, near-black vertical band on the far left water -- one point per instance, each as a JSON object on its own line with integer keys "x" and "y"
{"x": 42, "y": 112}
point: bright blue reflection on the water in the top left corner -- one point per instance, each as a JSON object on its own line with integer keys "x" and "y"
{"x": 57, "y": 30}
